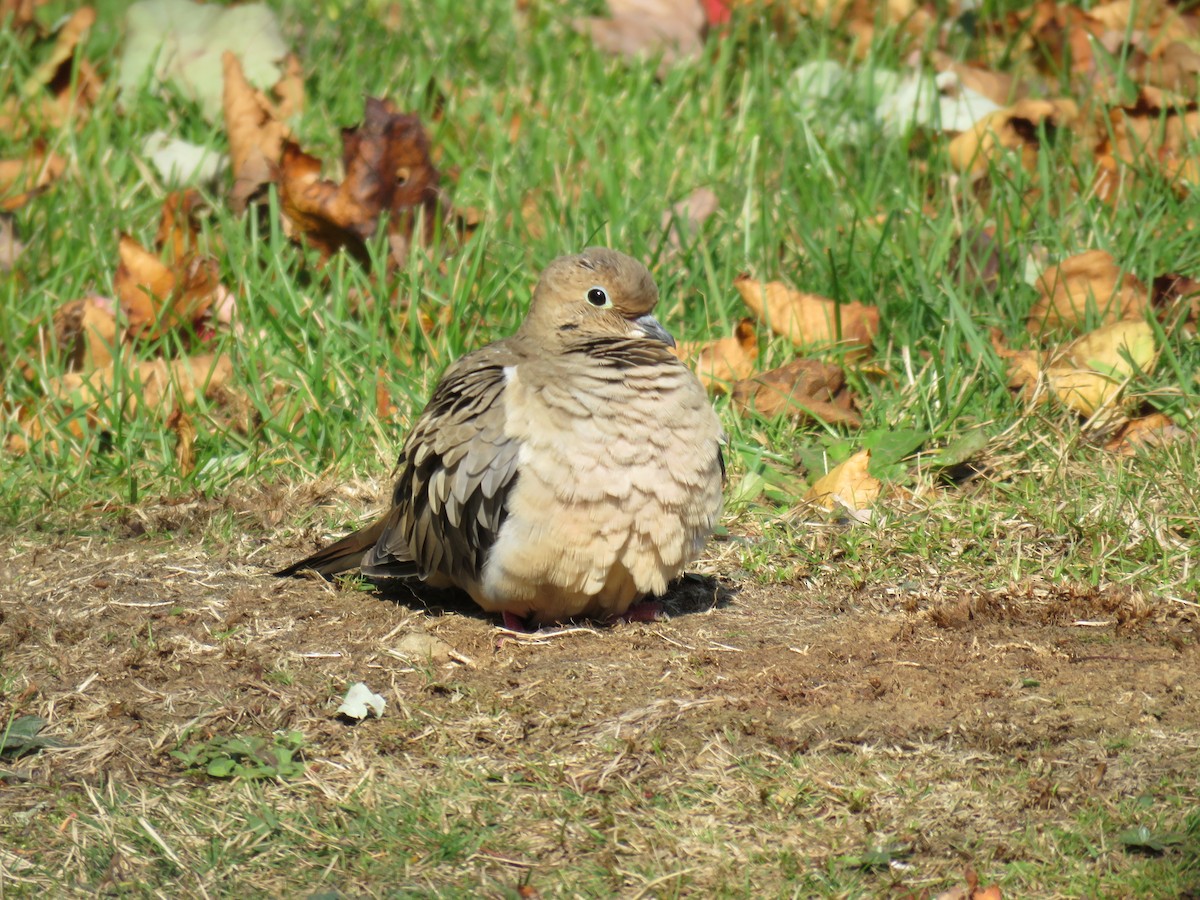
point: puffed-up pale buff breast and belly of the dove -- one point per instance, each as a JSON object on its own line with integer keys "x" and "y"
{"x": 619, "y": 488}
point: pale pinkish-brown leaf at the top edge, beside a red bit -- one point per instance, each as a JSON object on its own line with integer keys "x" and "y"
{"x": 646, "y": 28}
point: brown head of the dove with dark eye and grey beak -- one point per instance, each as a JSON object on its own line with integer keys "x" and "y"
{"x": 598, "y": 292}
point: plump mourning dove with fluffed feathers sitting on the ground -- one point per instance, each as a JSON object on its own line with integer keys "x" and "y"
{"x": 568, "y": 471}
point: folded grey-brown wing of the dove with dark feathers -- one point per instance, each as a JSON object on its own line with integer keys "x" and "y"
{"x": 457, "y": 471}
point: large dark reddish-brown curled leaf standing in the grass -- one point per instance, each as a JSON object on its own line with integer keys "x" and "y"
{"x": 388, "y": 170}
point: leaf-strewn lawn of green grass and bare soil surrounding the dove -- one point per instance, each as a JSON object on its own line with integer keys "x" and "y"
{"x": 982, "y": 658}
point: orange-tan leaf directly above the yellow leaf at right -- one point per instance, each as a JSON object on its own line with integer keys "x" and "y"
{"x": 1085, "y": 286}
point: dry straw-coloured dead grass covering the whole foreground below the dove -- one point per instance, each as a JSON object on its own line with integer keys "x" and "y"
{"x": 758, "y": 742}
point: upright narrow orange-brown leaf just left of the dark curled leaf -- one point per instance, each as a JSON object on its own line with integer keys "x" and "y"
{"x": 256, "y": 128}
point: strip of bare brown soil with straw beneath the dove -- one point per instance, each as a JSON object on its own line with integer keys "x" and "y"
{"x": 1061, "y": 694}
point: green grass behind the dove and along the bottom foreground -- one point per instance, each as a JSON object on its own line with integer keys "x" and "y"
{"x": 603, "y": 151}
